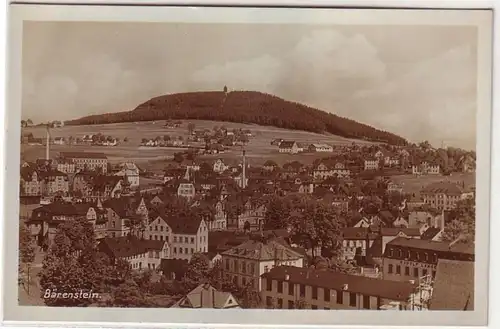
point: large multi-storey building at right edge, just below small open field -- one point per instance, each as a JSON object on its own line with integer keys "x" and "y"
{"x": 442, "y": 195}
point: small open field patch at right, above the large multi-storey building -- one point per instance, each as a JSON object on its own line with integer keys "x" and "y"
{"x": 413, "y": 184}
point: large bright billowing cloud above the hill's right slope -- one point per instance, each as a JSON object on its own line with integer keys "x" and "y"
{"x": 323, "y": 60}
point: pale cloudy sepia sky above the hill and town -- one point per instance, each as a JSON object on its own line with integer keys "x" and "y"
{"x": 415, "y": 81}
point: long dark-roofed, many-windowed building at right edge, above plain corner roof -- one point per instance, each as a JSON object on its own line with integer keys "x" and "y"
{"x": 410, "y": 259}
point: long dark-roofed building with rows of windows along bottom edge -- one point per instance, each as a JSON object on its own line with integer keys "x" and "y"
{"x": 288, "y": 287}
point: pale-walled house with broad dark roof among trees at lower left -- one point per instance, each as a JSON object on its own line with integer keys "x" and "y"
{"x": 141, "y": 254}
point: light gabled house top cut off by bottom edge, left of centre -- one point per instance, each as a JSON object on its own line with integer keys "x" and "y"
{"x": 206, "y": 296}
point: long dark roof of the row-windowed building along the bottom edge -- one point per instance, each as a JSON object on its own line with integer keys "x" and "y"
{"x": 393, "y": 290}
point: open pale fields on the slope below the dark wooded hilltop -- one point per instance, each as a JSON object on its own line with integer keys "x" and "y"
{"x": 258, "y": 150}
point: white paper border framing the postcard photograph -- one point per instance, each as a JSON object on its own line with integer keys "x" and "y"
{"x": 249, "y": 15}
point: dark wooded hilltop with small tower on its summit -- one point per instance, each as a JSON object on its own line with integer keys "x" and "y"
{"x": 244, "y": 107}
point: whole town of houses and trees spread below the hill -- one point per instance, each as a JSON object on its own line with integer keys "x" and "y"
{"x": 364, "y": 226}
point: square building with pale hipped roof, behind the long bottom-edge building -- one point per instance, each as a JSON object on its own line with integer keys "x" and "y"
{"x": 245, "y": 263}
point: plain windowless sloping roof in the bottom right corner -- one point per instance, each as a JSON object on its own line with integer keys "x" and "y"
{"x": 453, "y": 286}
